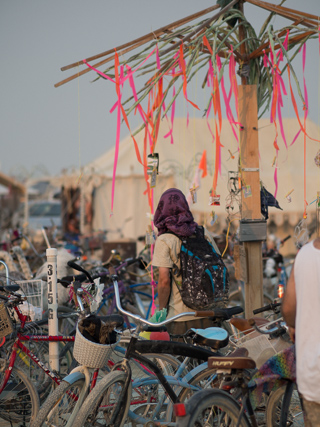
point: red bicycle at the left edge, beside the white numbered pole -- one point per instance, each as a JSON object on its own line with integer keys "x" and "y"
{"x": 23, "y": 404}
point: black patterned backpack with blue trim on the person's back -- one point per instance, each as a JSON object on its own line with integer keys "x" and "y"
{"x": 205, "y": 278}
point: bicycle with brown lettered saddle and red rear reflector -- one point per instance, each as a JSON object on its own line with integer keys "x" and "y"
{"x": 217, "y": 407}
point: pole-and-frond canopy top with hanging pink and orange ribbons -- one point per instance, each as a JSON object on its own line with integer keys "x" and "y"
{"x": 173, "y": 55}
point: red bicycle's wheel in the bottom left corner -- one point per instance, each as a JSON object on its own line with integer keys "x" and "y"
{"x": 19, "y": 401}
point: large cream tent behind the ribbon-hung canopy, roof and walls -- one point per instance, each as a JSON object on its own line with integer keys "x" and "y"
{"x": 178, "y": 164}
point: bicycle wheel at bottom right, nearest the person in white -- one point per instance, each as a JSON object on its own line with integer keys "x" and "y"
{"x": 274, "y": 405}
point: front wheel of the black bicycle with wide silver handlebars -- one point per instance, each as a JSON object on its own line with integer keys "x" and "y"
{"x": 99, "y": 406}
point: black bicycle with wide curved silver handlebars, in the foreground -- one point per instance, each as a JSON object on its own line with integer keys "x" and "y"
{"x": 101, "y": 399}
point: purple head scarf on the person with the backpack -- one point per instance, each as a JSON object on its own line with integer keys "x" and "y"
{"x": 173, "y": 214}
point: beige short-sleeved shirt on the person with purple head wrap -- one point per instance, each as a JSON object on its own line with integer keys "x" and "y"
{"x": 166, "y": 254}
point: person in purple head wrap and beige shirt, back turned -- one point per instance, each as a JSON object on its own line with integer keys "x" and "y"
{"x": 174, "y": 219}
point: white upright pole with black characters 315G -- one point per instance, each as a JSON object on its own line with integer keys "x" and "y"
{"x": 53, "y": 307}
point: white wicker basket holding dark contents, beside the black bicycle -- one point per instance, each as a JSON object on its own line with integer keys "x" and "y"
{"x": 89, "y": 353}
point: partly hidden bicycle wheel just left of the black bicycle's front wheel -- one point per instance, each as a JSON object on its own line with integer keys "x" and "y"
{"x": 59, "y": 406}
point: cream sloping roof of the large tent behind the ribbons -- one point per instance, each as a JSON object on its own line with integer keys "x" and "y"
{"x": 189, "y": 142}
